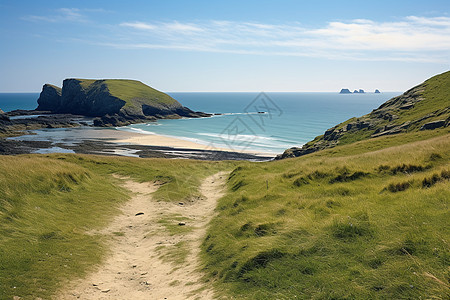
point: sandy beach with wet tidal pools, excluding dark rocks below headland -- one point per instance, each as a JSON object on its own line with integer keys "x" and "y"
{"x": 109, "y": 141}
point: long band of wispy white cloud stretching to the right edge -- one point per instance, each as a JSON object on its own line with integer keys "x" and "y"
{"x": 412, "y": 38}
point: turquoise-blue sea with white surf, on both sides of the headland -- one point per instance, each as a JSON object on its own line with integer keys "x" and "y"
{"x": 257, "y": 122}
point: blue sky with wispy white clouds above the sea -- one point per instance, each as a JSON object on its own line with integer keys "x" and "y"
{"x": 184, "y": 46}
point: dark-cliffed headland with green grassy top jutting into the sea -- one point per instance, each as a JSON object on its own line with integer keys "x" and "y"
{"x": 114, "y": 101}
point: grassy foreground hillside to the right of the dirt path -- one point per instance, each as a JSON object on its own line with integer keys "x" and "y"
{"x": 365, "y": 226}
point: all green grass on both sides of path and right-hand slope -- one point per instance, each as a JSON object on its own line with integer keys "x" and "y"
{"x": 364, "y": 219}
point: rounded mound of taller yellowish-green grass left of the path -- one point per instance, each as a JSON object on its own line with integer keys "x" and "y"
{"x": 46, "y": 206}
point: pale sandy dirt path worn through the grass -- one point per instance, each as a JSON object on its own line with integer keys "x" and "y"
{"x": 153, "y": 255}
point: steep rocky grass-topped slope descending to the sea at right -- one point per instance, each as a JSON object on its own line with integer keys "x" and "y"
{"x": 424, "y": 107}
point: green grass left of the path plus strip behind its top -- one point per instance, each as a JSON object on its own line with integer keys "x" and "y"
{"x": 48, "y": 204}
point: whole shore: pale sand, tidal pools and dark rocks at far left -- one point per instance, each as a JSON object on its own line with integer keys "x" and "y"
{"x": 28, "y": 132}
